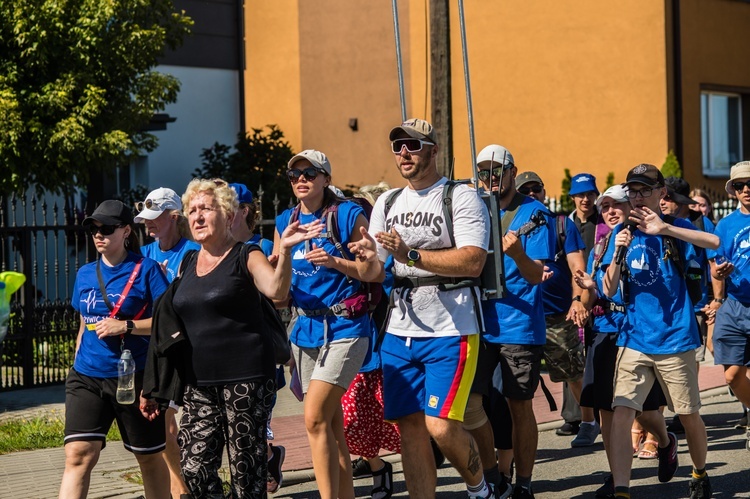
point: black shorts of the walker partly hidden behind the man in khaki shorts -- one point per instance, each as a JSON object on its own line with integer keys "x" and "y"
{"x": 599, "y": 377}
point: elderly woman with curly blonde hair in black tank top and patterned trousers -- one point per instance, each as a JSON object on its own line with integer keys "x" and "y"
{"x": 218, "y": 302}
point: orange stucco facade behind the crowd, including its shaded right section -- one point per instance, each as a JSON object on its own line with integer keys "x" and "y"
{"x": 583, "y": 85}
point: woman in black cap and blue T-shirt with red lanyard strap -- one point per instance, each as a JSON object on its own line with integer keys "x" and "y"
{"x": 114, "y": 297}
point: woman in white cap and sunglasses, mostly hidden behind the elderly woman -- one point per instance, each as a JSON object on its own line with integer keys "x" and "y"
{"x": 161, "y": 212}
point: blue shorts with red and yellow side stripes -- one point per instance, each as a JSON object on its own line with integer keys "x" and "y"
{"x": 430, "y": 375}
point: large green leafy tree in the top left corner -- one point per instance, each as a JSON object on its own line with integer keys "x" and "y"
{"x": 77, "y": 86}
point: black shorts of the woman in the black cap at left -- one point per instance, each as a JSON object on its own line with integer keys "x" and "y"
{"x": 90, "y": 408}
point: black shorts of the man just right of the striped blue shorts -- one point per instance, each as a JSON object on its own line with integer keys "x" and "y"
{"x": 520, "y": 366}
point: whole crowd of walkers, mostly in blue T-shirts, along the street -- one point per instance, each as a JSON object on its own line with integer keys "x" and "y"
{"x": 399, "y": 339}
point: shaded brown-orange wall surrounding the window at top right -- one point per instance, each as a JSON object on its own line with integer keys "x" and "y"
{"x": 715, "y": 36}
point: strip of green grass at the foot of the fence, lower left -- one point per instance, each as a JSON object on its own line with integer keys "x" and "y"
{"x": 40, "y": 432}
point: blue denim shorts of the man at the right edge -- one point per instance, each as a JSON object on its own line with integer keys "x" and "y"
{"x": 732, "y": 334}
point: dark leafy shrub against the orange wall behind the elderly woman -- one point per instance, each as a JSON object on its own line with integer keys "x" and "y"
{"x": 259, "y": 160}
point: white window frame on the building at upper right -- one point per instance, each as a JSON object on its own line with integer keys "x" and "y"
{"x": 710, "y": 140}
